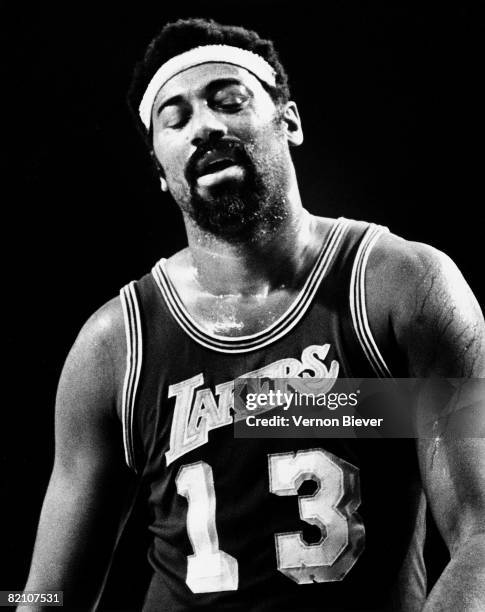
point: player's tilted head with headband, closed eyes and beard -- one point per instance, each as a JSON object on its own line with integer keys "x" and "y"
{"x": 213, "y": 104}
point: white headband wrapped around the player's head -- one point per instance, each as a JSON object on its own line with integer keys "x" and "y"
{"x": 225, "y": 54}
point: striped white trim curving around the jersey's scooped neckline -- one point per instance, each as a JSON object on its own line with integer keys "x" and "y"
{"x": 278, "y": 329}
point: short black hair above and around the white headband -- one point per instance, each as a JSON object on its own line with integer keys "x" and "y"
{"x": 184, "y": 34}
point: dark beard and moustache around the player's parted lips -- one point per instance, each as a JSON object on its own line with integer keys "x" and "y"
{"x": 241, "y": 210}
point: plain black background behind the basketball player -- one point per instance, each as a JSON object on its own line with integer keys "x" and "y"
{"x": 389, "y": 94}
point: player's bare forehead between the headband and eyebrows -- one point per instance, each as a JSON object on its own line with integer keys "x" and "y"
{"x": 196, "y": 79}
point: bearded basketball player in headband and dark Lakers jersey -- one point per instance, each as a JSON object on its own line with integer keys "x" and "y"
{"x": 263, "y": 289}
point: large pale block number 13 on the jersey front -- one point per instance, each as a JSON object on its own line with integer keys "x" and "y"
{"x": 332, "y": 508}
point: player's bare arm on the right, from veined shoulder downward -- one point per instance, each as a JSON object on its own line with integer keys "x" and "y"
{"x": 438, "y": 323}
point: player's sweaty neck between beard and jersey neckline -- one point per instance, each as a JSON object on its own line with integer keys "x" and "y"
{"x": 271, "y": 259}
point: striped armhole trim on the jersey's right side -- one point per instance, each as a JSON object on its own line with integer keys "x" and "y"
{"x": 358, "y": 306}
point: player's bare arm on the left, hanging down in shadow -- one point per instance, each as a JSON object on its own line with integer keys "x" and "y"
{"x": 90, "y": 491}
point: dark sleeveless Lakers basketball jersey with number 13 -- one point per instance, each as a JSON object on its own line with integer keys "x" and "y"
{"x": 268, "y": 524}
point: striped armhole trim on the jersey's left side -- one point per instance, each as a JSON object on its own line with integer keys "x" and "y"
{"x": 134, "y": 355}
